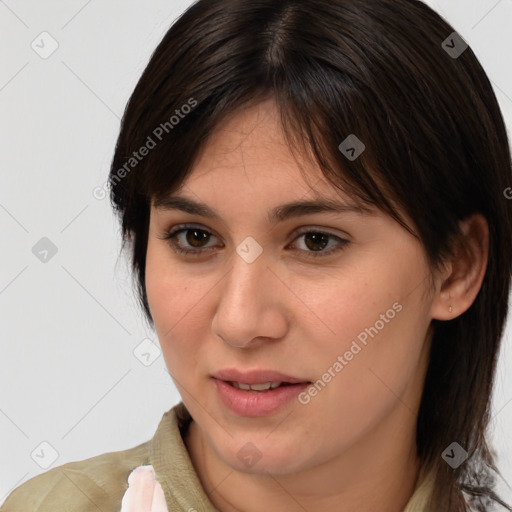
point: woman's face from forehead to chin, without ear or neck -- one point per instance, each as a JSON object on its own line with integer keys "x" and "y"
{"x": 337, "y": 299}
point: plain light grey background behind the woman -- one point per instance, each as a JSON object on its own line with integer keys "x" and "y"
{"x": 70, "y": 328}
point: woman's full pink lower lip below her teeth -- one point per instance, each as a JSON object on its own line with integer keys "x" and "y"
{"x": 257, "y": 403}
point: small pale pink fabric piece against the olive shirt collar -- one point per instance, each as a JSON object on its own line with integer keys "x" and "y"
{"x": 144, "y": 494}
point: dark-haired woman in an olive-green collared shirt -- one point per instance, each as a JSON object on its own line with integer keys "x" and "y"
{"x": 312, "y": 193}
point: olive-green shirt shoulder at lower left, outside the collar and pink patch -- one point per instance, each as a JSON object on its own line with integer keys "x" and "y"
{"x": 97, "y": 483}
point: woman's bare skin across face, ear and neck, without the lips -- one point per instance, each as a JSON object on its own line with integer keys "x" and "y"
{"x": 352, "y": 447}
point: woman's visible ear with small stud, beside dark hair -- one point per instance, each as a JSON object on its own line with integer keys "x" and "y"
{"x": 460, "y": 281}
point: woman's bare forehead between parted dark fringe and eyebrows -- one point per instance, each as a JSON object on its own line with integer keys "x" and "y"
{"x": 251, "y": 145}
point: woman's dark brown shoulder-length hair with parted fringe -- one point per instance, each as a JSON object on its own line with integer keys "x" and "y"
{"x": 436, "y": 150}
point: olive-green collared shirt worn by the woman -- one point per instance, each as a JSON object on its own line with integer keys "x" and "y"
{"x": 99, "y": 483}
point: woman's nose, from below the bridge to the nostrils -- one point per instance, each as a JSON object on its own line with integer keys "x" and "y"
{"x": 251, "y": 306}
